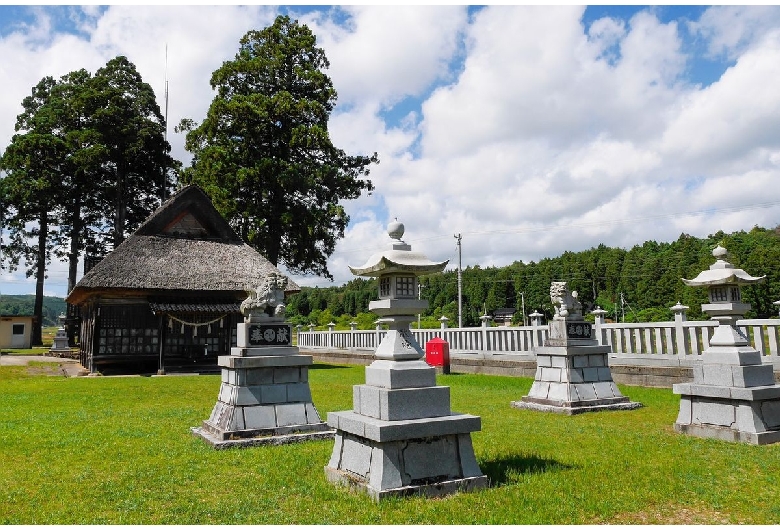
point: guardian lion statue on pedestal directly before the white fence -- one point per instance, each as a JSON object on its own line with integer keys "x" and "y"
{"x": 572, "y": 370}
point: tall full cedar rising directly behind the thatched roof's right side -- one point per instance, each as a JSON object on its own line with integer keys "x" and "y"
{"x": 264, "y": 154}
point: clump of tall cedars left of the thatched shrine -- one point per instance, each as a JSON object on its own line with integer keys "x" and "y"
{"x": 90, "y": 160}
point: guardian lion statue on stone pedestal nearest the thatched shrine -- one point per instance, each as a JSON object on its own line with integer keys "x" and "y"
{"x": 265, "y": 396}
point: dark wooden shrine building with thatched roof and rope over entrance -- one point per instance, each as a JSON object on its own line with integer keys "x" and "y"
{"x": 169, "y": 295}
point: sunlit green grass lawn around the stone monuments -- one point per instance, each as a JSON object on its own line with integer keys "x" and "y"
{"x": 118, "y": 450}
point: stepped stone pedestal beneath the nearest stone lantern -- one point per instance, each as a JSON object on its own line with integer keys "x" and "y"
{"x": 401, "y": 437}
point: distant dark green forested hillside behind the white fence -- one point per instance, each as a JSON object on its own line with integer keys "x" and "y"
{"x": 636, "y": 285}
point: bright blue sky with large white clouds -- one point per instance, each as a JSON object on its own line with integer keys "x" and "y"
{"x": 529, "y": 130}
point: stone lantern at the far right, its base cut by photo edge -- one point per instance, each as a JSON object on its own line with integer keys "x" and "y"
{"x": 733, "y": 396}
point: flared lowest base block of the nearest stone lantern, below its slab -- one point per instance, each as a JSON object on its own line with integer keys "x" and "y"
{"x": 433, "y": 465}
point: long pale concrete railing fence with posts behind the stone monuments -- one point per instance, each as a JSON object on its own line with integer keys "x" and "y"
{"x": 675, "y": 343}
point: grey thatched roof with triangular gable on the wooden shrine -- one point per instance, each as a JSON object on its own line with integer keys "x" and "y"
{"x": 185, "y": 245}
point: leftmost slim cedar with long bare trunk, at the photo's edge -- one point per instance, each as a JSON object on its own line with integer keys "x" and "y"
{"x": 33, "y": 172}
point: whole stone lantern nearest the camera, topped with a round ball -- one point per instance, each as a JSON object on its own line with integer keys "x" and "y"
{"x": 401, "y": 437}
